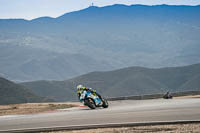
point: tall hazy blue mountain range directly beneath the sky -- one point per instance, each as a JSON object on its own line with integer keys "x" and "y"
{"x": 99, "y": 38}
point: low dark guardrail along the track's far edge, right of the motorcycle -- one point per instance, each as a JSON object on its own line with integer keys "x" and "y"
{"x": 153, "y": 96}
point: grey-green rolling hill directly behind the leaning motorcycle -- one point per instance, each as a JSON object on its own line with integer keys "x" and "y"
{"x": 124, "y": 82}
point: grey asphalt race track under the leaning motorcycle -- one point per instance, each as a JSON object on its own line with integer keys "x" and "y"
{"x": 126, "y": 111}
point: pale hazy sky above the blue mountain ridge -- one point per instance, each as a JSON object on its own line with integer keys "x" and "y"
{"x": 30, "y": 9}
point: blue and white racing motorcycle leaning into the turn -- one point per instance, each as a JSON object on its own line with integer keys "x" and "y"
{"x": 93, "y": 101}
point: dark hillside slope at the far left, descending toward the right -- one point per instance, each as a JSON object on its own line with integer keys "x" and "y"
{"x": 12, "y": 93}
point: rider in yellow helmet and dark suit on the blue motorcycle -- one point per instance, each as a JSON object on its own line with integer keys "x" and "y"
{"x": 81, "y": 88}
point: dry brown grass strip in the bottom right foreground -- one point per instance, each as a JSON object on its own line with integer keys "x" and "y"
{"x": 177, "y": 128}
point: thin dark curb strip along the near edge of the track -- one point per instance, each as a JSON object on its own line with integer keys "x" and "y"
{"x": 94, "y": 126}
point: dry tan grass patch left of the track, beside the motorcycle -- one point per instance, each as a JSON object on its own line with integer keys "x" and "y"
{"x": 31, "y": 108}
